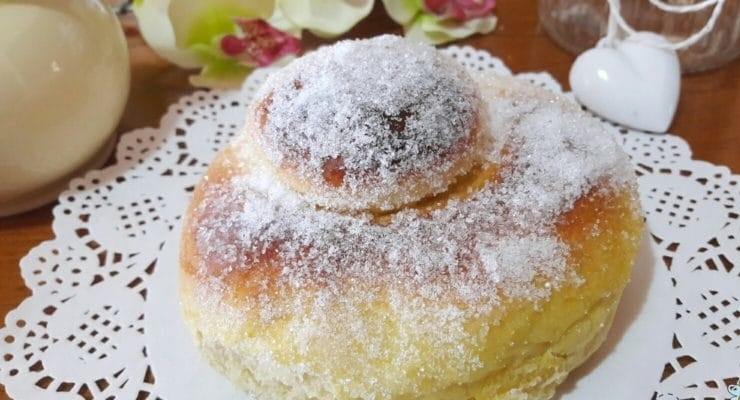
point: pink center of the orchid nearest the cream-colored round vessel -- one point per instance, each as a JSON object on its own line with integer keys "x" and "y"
{"x": 259, "y": 44}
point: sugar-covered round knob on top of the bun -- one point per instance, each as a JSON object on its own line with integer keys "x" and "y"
{"x": 356, "y": 139}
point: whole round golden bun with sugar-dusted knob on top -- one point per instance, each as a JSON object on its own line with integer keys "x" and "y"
{"x": 491, "y": 277}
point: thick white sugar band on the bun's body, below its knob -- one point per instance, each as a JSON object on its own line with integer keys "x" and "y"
{"x": 495, "y": 241}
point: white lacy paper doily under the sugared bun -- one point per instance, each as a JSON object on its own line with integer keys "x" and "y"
{"x": 103, "y": 320}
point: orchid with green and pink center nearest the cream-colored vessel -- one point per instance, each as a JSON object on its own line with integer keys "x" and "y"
{"x": 227, "y": 39}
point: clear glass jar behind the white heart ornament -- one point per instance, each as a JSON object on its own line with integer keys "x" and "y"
{"x": 577, "y": 25}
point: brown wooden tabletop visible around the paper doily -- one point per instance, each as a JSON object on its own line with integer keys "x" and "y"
{"x": 708, "y": 114}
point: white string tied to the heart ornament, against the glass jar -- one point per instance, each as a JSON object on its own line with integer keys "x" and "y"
{"x": 616, "y": 19}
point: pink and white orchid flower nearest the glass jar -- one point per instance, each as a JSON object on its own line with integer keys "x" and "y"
{"x": 441, "y": 21}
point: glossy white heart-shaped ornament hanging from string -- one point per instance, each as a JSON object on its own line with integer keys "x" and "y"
{"x": 635, "y": 83}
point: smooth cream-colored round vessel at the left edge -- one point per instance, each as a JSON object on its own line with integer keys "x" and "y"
{"x": 64, "y": 80}
